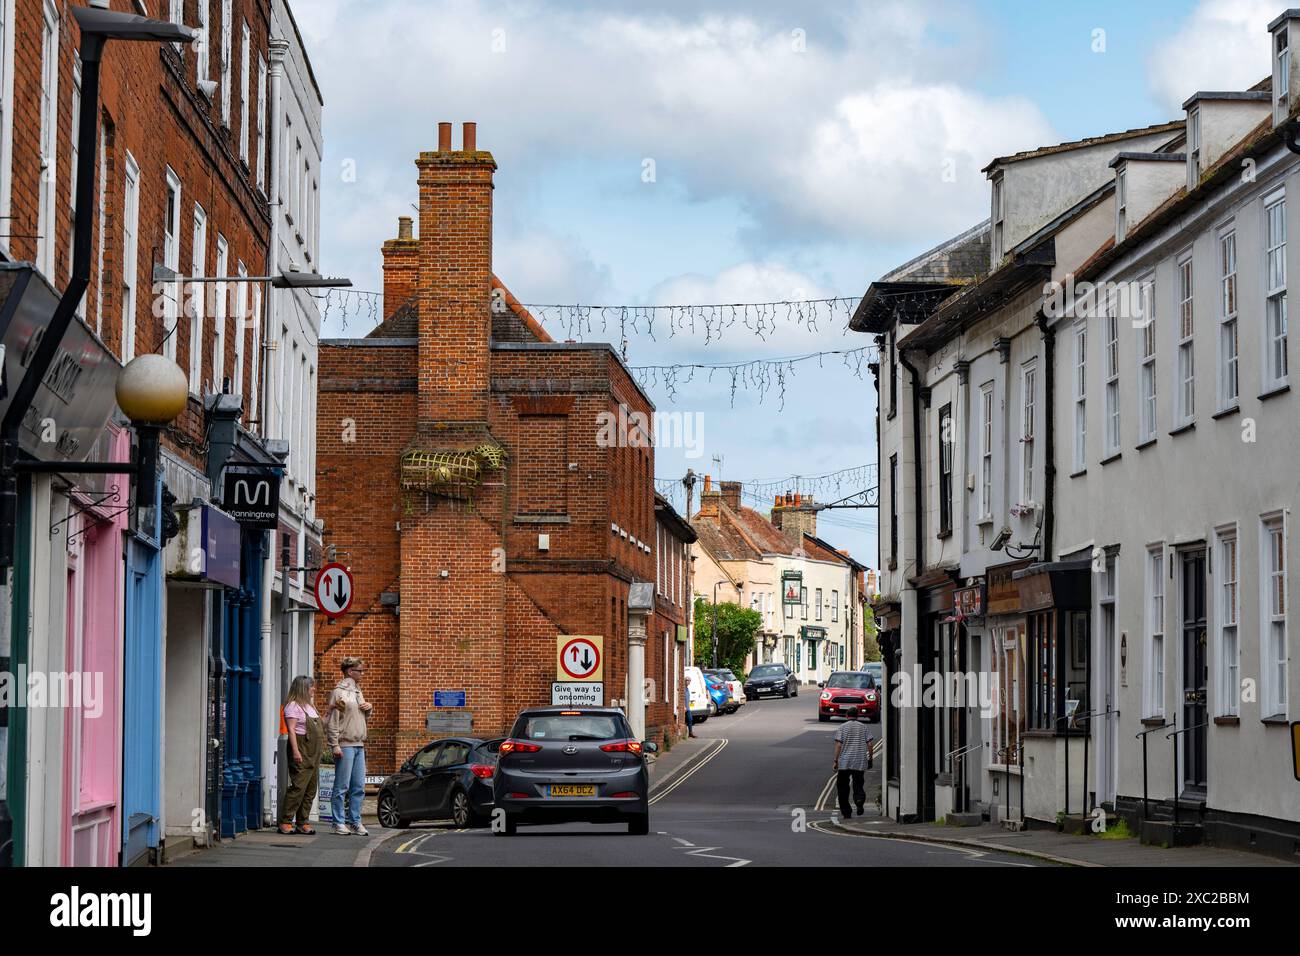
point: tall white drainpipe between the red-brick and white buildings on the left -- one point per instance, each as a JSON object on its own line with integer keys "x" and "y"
{"x": 278, "y": 51}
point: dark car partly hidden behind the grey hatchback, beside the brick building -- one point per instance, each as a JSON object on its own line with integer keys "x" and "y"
{"x": 448, "y": 778}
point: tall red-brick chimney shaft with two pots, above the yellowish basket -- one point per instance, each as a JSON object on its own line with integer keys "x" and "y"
{"x": 456, "y": 280}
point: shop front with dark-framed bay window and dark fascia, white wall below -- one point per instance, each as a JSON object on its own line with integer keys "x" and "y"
{"x": 1058, "y": 712}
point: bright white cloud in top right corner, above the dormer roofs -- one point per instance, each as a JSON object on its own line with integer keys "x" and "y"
{"x": 1225, "y": 46}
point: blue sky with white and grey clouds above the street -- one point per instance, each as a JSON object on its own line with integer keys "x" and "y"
{"x": 798, "y": 152}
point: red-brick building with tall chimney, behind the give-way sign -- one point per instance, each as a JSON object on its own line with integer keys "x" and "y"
{"x": 466, "y": 475}
